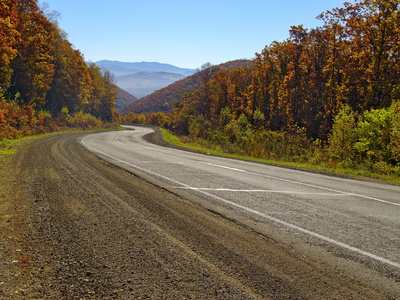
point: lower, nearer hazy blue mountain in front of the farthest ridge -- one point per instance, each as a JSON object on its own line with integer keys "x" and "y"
{"x": 144, "y": 83}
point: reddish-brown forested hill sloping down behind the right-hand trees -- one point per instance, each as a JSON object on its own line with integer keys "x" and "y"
{"x": 164, "y": 99}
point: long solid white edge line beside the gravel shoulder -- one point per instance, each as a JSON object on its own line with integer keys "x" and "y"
{"x": 250, "y": 210}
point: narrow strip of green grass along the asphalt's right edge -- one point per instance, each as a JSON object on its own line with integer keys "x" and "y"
{"x": 360, "y": 174}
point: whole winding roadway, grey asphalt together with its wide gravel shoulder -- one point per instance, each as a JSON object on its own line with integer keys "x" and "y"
{"x": 110, "y": 216}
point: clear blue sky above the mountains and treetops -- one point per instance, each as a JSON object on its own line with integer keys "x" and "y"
{"x": 185, "y": 33}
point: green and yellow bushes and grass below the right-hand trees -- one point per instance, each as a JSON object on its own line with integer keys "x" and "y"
{"x": 365, "y": 145}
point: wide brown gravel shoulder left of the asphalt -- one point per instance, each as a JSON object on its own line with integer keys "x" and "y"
{"x": 76, "y": 227}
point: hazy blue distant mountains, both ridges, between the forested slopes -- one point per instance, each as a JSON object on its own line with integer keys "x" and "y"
{"x": 143, "y": 78}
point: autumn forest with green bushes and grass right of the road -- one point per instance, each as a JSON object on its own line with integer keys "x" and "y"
{"x": 328, "y": 96}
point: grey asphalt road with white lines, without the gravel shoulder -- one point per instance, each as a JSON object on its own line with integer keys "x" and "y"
{"x": 350, "y": 225}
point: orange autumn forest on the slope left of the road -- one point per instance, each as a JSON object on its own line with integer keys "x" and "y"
{"x": 45, "y": 84}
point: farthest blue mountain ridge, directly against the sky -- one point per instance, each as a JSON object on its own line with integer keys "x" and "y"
{"x": 125, "y": 68}
